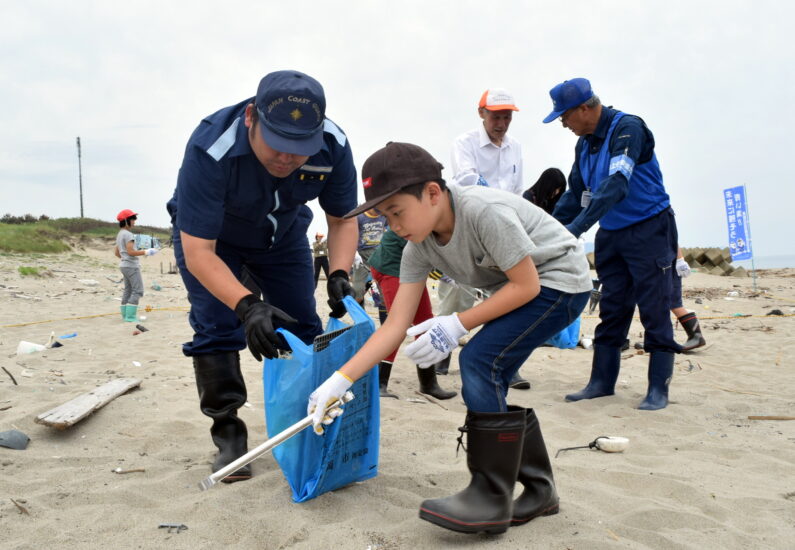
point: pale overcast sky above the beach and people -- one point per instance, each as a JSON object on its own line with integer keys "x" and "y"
{"x": 713, "y": 80}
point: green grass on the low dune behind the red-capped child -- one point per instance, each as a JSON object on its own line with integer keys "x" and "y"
{"x": 29, "y": 235}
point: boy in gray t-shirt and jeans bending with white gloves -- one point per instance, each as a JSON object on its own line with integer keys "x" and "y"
{"x": 539, "y": 279}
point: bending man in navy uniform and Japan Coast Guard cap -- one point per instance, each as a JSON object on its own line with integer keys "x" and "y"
{"x": 240, "y": 201}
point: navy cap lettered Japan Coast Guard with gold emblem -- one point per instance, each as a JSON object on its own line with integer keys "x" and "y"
{"x": 291, "y": 108}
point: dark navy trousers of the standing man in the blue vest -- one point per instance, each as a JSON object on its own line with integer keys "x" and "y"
{"x": 635, "y": 266}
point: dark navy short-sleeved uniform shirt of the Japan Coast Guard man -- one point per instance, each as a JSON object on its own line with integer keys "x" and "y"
{"x": 224, "y": 193}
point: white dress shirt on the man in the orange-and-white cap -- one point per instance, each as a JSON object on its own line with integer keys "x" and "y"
{"x": 501, "y": 167}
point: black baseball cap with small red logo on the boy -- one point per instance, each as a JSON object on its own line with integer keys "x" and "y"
{"x": 393, "y": 167}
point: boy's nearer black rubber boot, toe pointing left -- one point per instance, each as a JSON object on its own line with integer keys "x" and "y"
{"x": 494, "y": 446}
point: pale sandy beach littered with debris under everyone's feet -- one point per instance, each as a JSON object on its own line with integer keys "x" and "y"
{"x": 698, "y": 474}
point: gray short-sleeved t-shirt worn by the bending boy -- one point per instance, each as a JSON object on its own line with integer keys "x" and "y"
{"x": 494, "y": 230}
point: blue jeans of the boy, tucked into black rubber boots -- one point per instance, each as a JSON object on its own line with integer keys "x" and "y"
{"x": 492, "y": 357}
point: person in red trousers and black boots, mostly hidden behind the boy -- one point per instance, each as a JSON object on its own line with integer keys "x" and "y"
{"x": 385, "y": 267}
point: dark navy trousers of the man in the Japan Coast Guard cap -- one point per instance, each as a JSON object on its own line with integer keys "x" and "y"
{"x": 283, "y": 272}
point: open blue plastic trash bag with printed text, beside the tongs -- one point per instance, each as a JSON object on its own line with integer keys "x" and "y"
{"x": 348, "y": 451}
